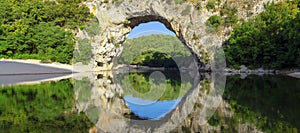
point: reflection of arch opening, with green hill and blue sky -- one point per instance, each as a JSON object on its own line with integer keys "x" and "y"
{"x": 152, "y": 94}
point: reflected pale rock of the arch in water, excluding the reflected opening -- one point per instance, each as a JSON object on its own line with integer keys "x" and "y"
{"x": 104, "y": 103}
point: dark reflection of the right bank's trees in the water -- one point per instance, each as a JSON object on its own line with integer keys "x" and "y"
{"x": 269, "y": 103}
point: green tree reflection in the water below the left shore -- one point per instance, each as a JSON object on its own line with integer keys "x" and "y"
{"x": 46, "y": 107}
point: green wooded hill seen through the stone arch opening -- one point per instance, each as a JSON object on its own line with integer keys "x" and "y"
{"x": 154, "y": 51}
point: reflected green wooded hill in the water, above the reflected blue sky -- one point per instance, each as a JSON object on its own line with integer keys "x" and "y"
{"x": 155, "y": 85}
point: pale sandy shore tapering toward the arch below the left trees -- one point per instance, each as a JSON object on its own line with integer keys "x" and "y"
{"x": 65, "y": 70}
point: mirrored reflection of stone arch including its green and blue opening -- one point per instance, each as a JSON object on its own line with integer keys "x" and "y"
{"x": 117, "y": 100}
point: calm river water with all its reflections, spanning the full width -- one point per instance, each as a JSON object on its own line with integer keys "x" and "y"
{"x": 256, "y": 103}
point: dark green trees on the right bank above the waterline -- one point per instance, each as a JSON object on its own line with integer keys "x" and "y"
{"x": 271, "y": 40}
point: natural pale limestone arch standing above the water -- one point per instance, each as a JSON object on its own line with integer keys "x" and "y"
{"x": 117, "y": 19}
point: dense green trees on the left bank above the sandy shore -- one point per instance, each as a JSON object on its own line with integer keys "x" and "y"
{"x": 40, "y": 29}
